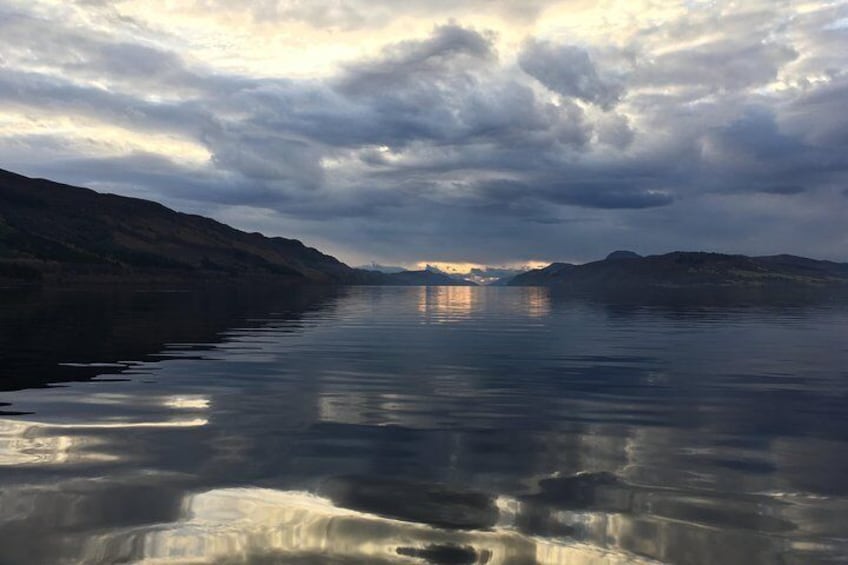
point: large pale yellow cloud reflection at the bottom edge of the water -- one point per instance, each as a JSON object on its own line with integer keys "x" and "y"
{"x": 239, "y": 525}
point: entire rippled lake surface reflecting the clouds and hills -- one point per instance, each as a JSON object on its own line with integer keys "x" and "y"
{"x": 412, "y": 425}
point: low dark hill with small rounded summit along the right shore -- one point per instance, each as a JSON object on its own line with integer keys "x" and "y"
{"x": 620, "y": 273}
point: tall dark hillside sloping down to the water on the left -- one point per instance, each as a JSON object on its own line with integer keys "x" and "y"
{"x": 51, "y": 231}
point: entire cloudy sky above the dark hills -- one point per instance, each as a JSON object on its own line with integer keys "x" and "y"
{"x": 483, "y": 132}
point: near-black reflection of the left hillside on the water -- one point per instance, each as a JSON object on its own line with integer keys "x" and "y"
{"x": 49, "y": 336}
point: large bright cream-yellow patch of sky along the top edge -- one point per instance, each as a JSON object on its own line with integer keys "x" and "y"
{"x": 234, "y": 39}
